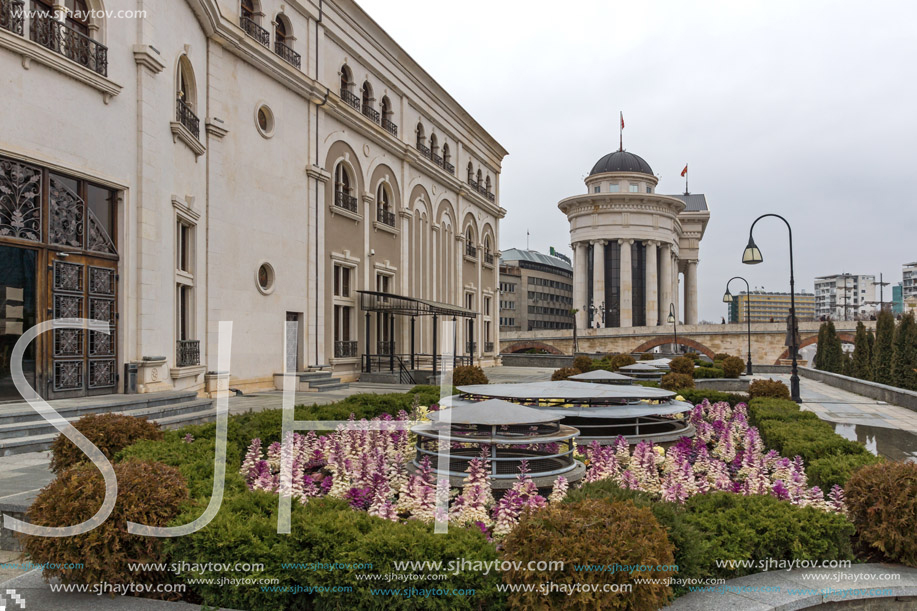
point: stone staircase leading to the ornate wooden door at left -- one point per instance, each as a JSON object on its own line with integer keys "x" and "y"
{"x": 23, "y": 430}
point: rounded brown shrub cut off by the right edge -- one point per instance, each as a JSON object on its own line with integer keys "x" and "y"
{"x": 882, "y": 503}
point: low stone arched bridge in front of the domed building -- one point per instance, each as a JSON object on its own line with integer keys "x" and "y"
{"x": 767, "y": 339}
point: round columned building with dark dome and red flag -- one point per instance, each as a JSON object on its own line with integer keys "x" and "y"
{"x": 630, "y": 246}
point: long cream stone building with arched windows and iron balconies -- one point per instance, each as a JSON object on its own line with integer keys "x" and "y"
{"x": 166, "y": 166}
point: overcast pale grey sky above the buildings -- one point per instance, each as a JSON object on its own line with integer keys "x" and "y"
{"x": 806, "y": 109}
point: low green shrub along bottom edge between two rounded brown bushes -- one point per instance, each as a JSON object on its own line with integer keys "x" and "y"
{"x": 327, "y": 531}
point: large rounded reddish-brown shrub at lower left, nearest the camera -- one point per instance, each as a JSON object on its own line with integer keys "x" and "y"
{"x": 148, "y": 493}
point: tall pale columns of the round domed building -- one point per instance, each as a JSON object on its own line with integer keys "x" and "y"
{"x": 660, "y": 275}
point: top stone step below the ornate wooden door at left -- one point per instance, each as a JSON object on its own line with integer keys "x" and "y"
{"x": 74, "y": 408}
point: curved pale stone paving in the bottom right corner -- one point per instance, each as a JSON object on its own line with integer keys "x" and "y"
{"x": 803, "y": 588}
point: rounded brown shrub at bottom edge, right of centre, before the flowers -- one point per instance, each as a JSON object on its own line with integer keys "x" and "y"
{"x": 590, "y": 531}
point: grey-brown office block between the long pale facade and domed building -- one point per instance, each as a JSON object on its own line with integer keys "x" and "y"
{"x": 536, "y": 291}
